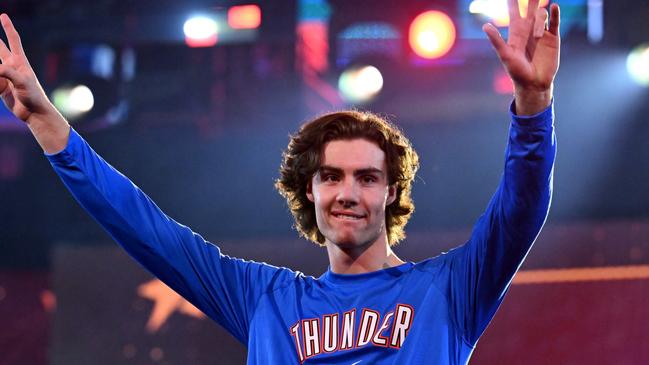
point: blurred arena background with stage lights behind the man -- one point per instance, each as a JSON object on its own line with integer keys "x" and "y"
{"x": 195, "y": 100}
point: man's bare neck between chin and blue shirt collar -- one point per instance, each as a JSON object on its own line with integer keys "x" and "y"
{"x": 361, "y": 259}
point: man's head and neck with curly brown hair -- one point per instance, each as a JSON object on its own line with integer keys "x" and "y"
{"x": 347, "y": 193}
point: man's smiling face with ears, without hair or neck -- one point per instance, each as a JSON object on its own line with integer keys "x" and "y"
{"x": 350, "y": 192}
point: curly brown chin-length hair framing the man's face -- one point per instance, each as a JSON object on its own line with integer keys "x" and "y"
{"x": 301, "y": 161}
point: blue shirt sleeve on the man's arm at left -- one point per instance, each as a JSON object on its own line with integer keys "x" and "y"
{"x": 224, "y": 288}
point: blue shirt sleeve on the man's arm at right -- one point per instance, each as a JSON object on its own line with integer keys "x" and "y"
{"x": 481, "y": 270}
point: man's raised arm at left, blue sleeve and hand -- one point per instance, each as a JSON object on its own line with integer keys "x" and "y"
{"x": 225, "y": 288}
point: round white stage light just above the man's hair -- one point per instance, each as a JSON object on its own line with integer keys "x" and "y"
{"x": 360, "y": 84}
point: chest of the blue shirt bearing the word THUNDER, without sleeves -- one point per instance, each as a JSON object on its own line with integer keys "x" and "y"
{"x": 318, "y": 322}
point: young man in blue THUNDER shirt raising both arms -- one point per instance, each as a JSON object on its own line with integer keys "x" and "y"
{"x": 347, "y": 179}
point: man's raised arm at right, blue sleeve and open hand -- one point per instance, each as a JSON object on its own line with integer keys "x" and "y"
{"x": 482, "y": 269}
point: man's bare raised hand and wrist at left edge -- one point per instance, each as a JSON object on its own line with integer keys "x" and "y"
{"x": 23, "y": 95}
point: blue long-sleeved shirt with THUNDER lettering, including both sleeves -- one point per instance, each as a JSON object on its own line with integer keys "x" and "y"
{"x": 430, "y": 312}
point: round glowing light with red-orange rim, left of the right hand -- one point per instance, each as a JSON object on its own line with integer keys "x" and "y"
{"x": 432, "y": 34}
